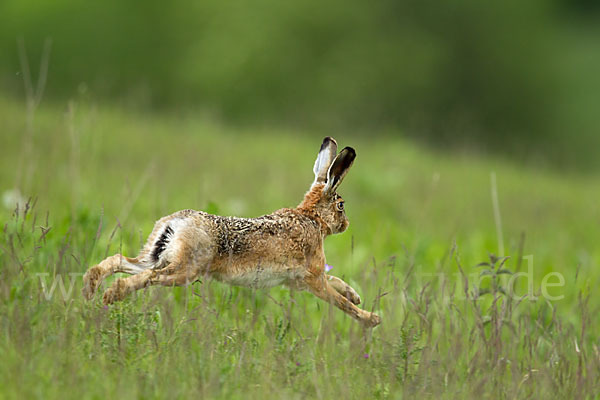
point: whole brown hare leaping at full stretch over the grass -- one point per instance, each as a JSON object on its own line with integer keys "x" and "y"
{"x": 285, "y": 247}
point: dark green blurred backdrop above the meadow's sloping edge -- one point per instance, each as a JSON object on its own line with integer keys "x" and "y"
{"x": 519, "y": 78}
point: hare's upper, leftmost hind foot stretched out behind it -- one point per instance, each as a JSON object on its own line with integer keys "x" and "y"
{"x": 117, "y": 263}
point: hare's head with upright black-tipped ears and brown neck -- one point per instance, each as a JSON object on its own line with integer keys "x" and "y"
{"x": 322, "y": 200}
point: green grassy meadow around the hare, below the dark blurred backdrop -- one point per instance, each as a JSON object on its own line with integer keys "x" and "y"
{"x": 99, "y": 179}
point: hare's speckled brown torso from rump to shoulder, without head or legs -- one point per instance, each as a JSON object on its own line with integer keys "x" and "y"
{"x": 274, "y": 242}
